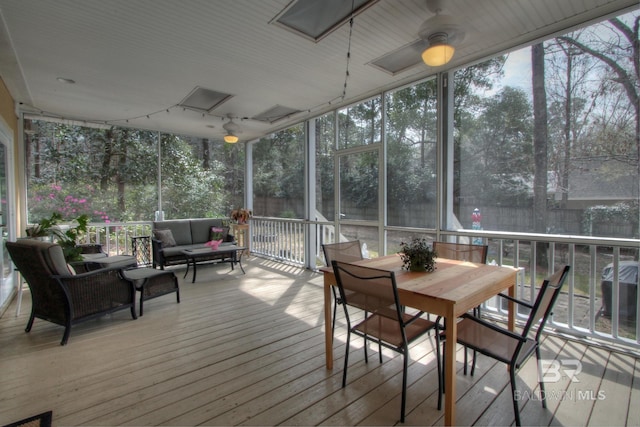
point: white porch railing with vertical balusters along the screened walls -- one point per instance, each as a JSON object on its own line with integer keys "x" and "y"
{"x": 579, "y": 312}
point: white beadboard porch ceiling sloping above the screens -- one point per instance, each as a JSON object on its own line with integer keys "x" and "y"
{"x": 135, "y": 63}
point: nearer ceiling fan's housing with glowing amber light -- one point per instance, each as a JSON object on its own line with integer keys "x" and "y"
{"x": 440, "y": 32}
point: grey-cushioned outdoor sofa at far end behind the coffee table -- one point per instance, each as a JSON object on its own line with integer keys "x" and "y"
{"x": 172, "y": 237}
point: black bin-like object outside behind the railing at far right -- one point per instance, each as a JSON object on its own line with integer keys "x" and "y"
{"x": 628, "y": 289}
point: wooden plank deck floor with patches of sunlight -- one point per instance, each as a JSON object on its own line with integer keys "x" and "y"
{"x": 248, "y": 350}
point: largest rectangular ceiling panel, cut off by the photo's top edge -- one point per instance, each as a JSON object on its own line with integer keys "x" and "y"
{"x": 315, "y": 20}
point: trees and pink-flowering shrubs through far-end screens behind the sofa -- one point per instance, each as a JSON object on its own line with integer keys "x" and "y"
{"x": 111, "y": 174}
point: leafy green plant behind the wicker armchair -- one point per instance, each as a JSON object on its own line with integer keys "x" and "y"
{"x": 65, "y": 234}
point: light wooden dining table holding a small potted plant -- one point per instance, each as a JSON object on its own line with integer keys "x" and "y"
{"x": 454, "y": 288}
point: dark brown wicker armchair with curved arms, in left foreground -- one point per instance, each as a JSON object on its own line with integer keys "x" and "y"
{"x": 62, "y": 297}
